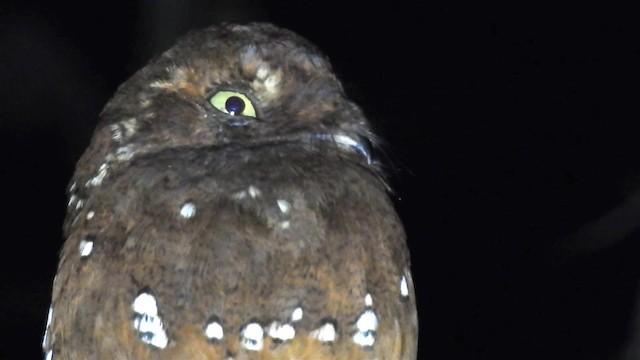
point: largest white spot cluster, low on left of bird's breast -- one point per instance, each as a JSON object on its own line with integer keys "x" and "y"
{"x": 147, "y": 323}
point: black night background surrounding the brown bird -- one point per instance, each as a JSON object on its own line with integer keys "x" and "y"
{"x": 511, "y": 134}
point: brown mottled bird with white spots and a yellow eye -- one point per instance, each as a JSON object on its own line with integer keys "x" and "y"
{"x": 230, "y": 206}
